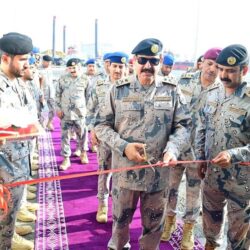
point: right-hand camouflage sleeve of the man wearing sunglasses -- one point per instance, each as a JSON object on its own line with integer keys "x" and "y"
{"x": 179, "y": 138}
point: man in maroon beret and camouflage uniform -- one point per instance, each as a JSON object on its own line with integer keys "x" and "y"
{"x": 194, "y": 87}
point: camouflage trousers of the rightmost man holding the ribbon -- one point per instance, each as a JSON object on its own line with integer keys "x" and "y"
{"x": 238, "y": 210}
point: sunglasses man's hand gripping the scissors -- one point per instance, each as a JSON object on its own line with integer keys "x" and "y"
{"x": 134, "y": 152}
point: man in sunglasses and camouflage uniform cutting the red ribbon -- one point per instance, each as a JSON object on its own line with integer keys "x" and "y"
{"x": 144, "y": 120}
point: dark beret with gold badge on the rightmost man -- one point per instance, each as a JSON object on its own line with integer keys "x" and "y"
{"x": 233, "y": 55}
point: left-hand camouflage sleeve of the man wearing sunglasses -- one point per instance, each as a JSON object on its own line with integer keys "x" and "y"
{"x": 105, "y": 122}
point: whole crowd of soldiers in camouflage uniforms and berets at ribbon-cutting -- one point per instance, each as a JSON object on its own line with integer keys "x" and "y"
{"x": 138, "y": 112}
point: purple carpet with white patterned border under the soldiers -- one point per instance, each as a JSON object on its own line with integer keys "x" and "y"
{"x": 80, "y": 204}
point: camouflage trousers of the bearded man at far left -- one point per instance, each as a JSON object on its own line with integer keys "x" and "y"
{"x": 7, "y": 222}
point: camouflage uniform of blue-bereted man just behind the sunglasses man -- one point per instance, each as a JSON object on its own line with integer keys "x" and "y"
{"x": 97, "y": 99}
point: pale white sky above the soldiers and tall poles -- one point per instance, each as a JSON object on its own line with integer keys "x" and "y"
{"x": 186, "y": 27}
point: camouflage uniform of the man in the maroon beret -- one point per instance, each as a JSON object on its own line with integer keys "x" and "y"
{"x": 191, "y": 88}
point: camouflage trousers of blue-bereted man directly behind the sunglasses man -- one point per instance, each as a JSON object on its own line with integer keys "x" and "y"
{"x": 104, "y": 161}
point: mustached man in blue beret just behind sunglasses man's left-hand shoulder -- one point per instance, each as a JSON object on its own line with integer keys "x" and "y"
{"x": 118, "y": 63}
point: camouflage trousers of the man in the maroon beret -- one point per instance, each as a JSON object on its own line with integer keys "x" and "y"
{"x": 193, "y": 200}
